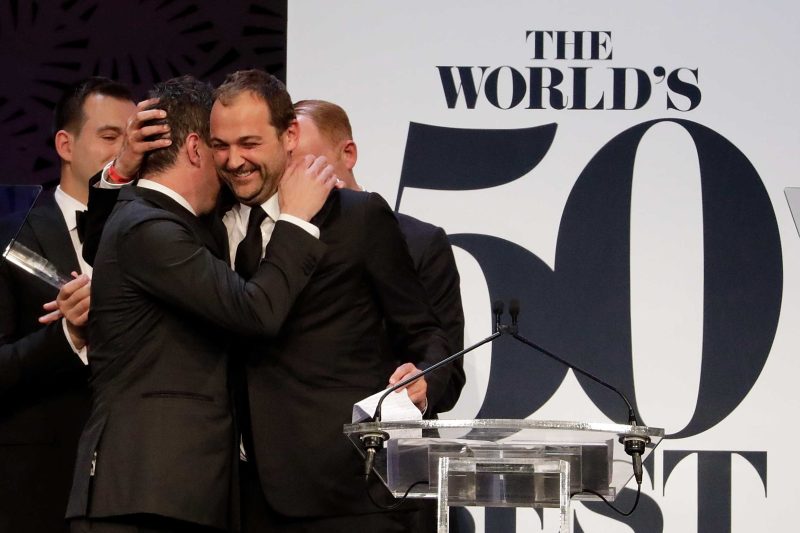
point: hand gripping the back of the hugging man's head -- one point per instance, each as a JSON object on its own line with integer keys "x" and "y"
{"x": 146, "y": 131}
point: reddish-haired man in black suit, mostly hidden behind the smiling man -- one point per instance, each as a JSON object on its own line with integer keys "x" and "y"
{"x": 325, "y": 130}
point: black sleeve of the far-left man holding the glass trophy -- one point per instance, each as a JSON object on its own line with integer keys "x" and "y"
{"x": 41, "y": 354}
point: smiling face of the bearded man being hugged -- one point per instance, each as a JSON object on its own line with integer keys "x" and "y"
{"x": 249, "y": 153}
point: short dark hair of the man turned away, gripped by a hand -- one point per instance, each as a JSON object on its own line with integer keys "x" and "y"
{"x": 187, "y": 102}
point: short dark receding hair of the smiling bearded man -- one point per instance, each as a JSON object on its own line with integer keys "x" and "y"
{"x": 264, "y": 85}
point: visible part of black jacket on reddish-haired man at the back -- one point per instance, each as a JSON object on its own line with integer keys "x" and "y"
{"x": 436, "y": 267}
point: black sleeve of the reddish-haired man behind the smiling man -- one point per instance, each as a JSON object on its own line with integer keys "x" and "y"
{"x": 439, "y": 276}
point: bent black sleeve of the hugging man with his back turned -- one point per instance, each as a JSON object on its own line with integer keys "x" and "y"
{"x": 165, "y": 259}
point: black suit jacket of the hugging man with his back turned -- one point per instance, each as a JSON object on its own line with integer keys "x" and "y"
{"x": 160, "y": 438}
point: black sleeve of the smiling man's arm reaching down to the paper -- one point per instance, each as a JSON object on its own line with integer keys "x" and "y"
{"x": 415, "y": 333}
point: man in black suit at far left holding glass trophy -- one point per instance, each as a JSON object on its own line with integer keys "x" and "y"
{"x": 44, "y": 398}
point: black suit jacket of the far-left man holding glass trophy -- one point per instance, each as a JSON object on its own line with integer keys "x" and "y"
{"x": 44, "y": 398}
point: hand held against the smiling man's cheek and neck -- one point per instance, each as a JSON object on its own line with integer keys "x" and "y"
{"x": 305, "y": 186}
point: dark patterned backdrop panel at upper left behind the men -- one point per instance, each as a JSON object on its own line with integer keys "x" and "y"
{"x": 47, "y": 45}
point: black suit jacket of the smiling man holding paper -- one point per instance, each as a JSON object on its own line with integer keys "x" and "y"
{"x": 332, "y": 352}
